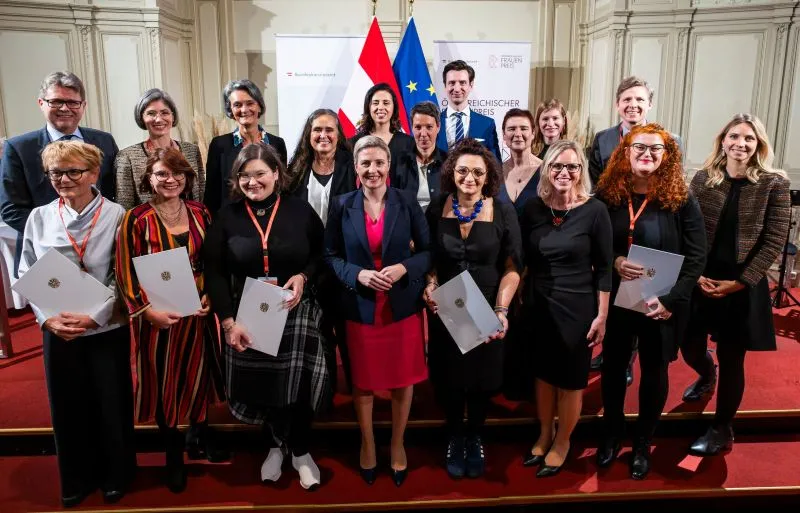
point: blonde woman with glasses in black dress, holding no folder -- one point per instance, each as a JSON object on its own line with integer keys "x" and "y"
{"x": 567, "y": 239}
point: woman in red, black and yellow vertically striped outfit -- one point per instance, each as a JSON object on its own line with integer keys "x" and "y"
{"x": 177, "y": 370}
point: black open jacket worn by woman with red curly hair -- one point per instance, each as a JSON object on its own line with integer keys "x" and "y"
{"x": 682, "y": 232}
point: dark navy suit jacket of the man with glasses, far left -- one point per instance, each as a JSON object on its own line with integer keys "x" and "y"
{"x": 24, "y": 186}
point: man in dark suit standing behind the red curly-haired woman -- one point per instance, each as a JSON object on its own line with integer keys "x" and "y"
{"x": 634, "y": 101}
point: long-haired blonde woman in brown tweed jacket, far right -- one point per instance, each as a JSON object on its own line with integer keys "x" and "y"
{"x": 746, "y": 206}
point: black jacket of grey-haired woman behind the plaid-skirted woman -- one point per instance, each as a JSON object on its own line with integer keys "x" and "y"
{"x": 221, "y": 154}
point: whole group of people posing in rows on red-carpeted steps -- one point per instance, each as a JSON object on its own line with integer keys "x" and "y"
{"x": 360, "y": 234}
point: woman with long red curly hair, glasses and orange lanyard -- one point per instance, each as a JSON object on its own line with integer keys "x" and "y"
{"x": 650, "y": 206}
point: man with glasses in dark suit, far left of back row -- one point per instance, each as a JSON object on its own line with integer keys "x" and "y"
{"x": 23, "y": 183}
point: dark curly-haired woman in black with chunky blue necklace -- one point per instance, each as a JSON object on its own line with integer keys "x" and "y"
{"x": 470, "y": 231}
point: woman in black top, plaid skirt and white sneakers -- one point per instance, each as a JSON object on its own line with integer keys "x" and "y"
{"x": 267, "y": 235}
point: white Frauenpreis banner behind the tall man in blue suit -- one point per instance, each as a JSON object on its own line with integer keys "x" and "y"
{"x": 502, "y": 76}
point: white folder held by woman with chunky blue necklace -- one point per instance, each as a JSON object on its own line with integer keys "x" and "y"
{"x": 465, "y": 312}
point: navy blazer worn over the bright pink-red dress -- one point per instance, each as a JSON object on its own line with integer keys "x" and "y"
{"x": 347, "y": 252}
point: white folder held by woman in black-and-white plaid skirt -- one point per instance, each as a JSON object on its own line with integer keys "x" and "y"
{"x": 262, "y": 314}
